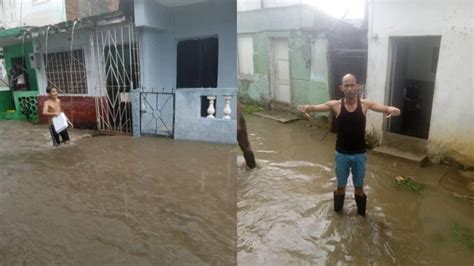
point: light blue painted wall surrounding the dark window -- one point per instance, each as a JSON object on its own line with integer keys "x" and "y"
{"x": 160, "y": 29}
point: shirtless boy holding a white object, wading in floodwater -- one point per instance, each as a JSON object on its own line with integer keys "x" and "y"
{"x": 52, "y": 108}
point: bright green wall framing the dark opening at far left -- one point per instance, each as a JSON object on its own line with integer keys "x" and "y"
{"x": 16, "y": 50}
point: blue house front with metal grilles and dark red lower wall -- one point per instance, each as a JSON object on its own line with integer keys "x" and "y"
{"x": 147, "y": 67}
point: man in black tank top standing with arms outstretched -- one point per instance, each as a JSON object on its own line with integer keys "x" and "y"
{"x": 351, "y": 154}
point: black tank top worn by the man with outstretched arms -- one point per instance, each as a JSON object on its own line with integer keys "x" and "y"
{"x": 350, "y": 130}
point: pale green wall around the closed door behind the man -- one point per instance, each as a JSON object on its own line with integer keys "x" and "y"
{"x": 308, "y": 86}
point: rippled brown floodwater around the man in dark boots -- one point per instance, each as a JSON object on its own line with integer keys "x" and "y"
{"x": 285, "y": 209}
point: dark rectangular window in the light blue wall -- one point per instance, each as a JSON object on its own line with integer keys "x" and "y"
{"x": 197, "y": 63}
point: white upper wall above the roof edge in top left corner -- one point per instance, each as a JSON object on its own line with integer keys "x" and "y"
{"x": 32, "y": 13}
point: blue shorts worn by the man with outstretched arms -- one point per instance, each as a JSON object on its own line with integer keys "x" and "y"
{"x": 350, "y": 162}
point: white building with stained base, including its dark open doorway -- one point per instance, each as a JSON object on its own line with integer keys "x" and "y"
{"x": 421, "y": 60}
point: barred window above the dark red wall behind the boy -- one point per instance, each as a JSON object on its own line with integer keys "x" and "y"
{"x": 67, "y": 72}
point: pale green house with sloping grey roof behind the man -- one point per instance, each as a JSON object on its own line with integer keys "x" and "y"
{"x": 291, "y": 55}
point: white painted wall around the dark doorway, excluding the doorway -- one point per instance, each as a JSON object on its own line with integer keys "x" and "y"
{"x": 451, "y": 119}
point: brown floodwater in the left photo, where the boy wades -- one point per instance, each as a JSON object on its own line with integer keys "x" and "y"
{"x": 114, "y": 200}
